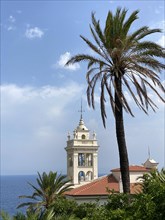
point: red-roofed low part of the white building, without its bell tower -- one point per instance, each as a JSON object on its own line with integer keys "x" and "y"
{"x": 99, "y": 189}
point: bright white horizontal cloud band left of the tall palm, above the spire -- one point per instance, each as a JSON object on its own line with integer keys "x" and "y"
{"x": 24, "y": 95}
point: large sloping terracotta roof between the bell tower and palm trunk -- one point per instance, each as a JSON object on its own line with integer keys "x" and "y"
{"x": 96, "y": 187}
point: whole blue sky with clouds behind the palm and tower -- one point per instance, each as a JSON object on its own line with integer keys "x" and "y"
{"x": 40, "y": 97}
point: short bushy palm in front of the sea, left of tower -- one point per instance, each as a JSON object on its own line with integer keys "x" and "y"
{"x": 50, "y": 187}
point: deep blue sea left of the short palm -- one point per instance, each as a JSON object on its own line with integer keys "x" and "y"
{"x": 11, "y": 187}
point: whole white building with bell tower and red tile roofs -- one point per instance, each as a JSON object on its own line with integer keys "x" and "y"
{"x": 82, "y": 169}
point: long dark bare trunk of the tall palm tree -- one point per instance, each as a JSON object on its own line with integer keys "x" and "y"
{"x": 123, "y": 155}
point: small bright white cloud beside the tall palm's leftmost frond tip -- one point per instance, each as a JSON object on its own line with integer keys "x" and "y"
{"x": 62, "y": 61}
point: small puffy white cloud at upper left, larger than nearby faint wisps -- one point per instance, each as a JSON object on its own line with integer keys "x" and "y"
{"x": 32, "y": 33}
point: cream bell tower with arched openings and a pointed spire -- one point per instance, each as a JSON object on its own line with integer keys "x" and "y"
{"x": 82, "y": 155}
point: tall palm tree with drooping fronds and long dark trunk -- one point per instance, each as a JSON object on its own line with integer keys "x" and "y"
{"x": 123, "y": 62}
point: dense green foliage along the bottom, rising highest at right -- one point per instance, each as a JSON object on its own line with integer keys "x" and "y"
{"x": 149, "y": 204}
